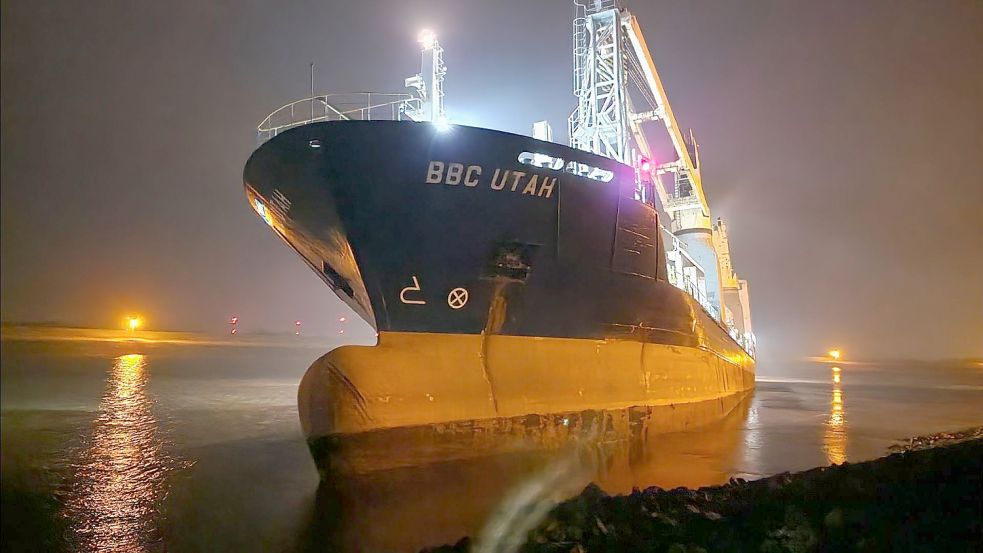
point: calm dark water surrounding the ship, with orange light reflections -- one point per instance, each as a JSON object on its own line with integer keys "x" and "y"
{"x": 128, "y": 446}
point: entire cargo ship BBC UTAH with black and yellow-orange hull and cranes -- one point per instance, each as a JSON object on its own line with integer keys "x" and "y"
{"x": 506, "y": 275}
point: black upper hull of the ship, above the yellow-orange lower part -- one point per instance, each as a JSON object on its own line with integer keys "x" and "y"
{"x": 578, "y": 258}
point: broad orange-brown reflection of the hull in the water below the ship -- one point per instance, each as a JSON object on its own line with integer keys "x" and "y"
{"x": 406, "y": 488}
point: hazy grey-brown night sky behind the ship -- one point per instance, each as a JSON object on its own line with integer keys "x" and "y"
{"x": 840, "y": 140}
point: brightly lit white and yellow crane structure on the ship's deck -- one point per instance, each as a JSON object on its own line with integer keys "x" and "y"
{"x": 614, "y": 72}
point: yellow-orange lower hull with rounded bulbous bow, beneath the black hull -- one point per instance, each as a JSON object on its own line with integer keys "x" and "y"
{"x": 412, "y": 379}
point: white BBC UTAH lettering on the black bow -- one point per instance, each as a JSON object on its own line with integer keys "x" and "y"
{"x": 471, "y": 176}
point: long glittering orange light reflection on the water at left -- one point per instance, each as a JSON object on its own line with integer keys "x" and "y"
{"x": 119, "y": 477}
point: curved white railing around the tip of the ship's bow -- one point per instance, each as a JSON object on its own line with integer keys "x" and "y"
{"x": 339, "y": 107}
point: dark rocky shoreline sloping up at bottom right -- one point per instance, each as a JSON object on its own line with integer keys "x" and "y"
{"x": 925, "y": 496}
